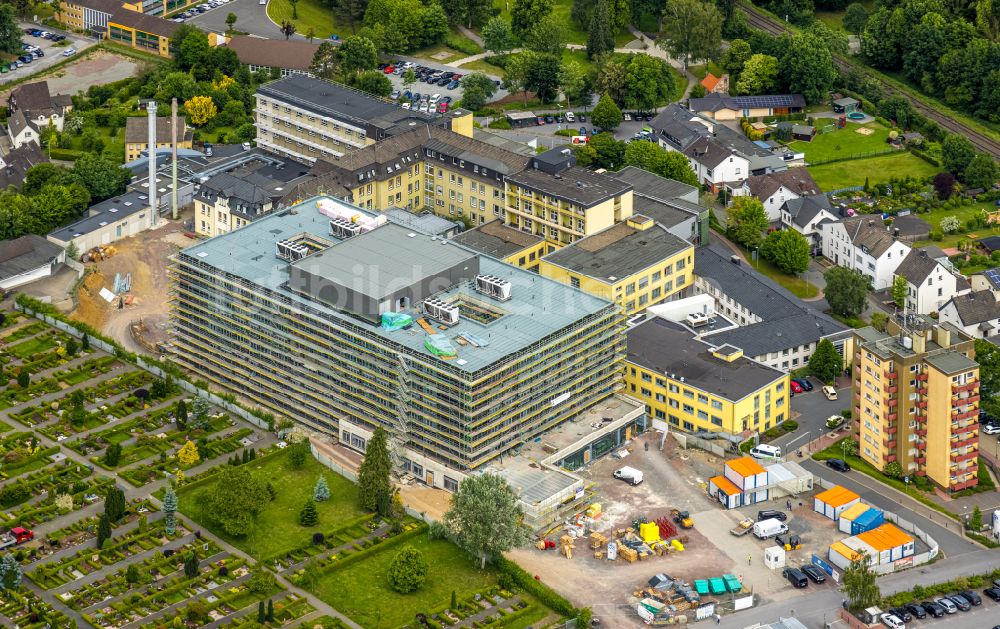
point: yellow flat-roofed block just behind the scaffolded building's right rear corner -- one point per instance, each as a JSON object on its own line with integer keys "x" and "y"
{"x": 635, "y": 263}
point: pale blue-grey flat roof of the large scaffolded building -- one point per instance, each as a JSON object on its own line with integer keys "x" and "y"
{"x": 537, "y": 307}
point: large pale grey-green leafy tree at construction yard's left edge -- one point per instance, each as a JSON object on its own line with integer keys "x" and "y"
{"x": 485, "y": 517}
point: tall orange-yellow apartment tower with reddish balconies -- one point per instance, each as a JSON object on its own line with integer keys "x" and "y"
{"x": 916, "y": 400}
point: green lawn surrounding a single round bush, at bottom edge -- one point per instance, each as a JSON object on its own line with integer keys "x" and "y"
{"x": 361, "y": 589}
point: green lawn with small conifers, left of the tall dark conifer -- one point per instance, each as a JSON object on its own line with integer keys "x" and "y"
{"x": 277, "y": 530}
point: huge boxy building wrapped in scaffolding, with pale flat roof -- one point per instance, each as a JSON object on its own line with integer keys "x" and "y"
{"x": 334, "y": 317}
